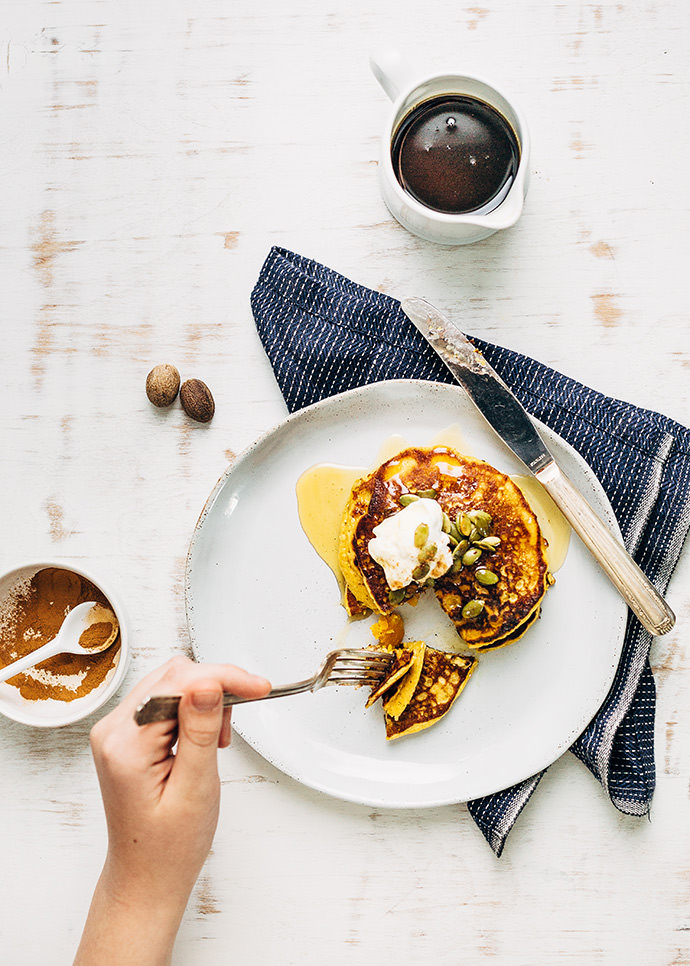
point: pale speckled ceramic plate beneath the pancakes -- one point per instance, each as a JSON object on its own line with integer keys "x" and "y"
{"x": 259, "y": 596}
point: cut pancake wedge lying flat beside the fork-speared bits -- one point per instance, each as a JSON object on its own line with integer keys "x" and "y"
{"x": 443, "y": 676}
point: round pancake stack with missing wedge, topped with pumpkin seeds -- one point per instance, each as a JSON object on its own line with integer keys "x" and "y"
{"x": 498, "y": 576}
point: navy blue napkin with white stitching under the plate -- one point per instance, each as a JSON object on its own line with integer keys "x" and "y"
{"x": 324, "y": 334}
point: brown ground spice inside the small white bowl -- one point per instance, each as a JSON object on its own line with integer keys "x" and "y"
{"x": 31, "y": 617}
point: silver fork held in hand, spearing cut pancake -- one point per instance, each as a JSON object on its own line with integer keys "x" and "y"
{"x": 344, "y": 666}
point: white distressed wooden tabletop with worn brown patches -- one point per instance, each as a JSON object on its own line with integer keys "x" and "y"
{"x": 151, "y": 153}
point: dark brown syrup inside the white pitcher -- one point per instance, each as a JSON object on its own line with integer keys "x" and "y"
{"x": 456, "y": 154}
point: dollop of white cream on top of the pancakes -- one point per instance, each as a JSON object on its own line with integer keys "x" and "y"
{"x": 394, "y": 547}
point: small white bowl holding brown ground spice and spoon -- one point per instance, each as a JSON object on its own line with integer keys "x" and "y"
{"x": 49, "y": 713}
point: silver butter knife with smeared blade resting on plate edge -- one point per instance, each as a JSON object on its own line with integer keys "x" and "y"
{"x": 508, "y": 418}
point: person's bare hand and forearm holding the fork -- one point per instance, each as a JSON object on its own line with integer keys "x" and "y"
{"x": 161, "y": 809}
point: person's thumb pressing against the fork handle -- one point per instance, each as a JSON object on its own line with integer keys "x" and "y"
{"x": 200, "y": 718}
